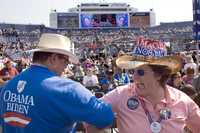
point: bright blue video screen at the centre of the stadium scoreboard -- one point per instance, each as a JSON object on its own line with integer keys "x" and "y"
{"x": 104, "y": 20}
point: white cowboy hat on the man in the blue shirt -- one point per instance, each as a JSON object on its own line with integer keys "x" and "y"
{"x": 56, "y": 43}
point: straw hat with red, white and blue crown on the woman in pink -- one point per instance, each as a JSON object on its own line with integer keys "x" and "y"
{"x": 148, "y": 55}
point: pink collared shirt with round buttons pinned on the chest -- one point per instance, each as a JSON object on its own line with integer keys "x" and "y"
{"x": 133, "y": 119}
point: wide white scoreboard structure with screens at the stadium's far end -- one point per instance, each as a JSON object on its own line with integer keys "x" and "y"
{"x": 102, "y": 15}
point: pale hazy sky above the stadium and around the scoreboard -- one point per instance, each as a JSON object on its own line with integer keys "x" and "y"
{"x": 37, "y": 11}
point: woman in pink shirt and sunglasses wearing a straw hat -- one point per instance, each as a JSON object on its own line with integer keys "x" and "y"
{"x": 149, "y": 105}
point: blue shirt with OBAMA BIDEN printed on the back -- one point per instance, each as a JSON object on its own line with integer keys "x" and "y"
{"x": 39, "y": 101}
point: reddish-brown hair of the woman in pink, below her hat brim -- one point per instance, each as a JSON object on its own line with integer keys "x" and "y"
{"x": 163, "y": 71}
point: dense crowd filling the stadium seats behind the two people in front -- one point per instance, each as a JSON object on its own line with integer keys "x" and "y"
{"x": 98, "y": 49}
